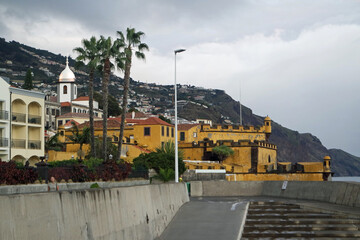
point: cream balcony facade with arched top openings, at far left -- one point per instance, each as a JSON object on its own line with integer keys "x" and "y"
{"x": 27, "y": 125}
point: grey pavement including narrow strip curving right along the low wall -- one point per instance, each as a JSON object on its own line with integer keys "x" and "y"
{"x": 222, "y": 217}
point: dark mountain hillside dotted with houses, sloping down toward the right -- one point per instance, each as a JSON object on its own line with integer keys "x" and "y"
{"x": 194, "y": 102}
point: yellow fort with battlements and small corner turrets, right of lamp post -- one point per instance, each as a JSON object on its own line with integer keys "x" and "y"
{"x": 254, "y": 158}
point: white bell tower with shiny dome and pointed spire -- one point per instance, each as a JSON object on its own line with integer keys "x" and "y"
{"x": 66, "y": 89}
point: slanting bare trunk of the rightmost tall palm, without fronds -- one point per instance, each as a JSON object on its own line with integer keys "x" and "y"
{"x": 124, "y": 103}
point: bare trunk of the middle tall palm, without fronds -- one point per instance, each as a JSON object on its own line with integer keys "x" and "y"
{"x": 105, "y": 84}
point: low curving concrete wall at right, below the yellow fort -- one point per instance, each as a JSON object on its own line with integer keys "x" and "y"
{"x": 341, "y": 193}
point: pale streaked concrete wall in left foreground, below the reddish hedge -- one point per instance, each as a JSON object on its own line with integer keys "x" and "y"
{"x": 140, "y": 212}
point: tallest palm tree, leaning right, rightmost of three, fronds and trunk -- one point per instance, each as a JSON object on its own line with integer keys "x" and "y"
{"x": 132, "y": 43}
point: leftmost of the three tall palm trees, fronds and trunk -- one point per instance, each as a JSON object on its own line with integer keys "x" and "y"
{"x": 90, "y": 54}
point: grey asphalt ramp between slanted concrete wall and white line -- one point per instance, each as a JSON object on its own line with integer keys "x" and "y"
{"x": 207, "y": 218}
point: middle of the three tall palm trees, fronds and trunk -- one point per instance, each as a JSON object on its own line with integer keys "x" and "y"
{"x": 108, "y": 51}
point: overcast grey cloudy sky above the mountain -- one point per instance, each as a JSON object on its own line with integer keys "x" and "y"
{"x": 296, "y": 61}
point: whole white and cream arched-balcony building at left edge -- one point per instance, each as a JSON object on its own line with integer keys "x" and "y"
{"x": 21, "y": 124}
